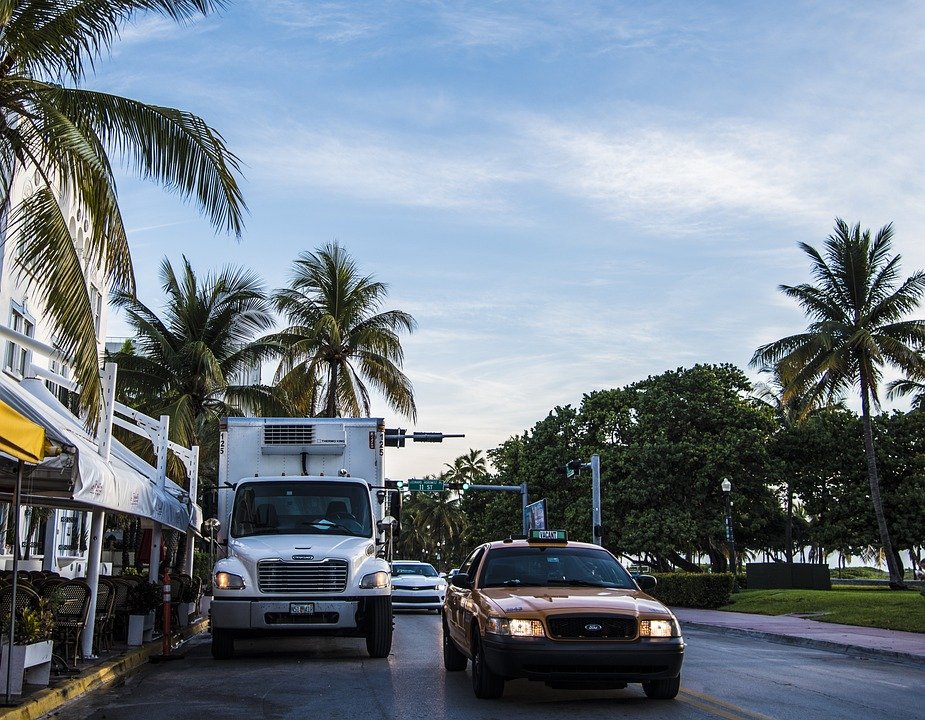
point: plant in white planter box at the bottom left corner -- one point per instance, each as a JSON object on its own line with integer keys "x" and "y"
{"x": 30, "y": 656}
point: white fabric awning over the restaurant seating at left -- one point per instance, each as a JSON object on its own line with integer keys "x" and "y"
{"x": 126, "y": 484}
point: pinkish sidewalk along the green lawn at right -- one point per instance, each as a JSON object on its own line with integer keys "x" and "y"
{"x": 793, "y": 630}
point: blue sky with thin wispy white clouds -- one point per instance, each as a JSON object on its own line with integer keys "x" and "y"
{"x": 567, "y": 196}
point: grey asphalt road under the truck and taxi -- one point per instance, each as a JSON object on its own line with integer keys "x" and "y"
{"x": 733, "y": 678}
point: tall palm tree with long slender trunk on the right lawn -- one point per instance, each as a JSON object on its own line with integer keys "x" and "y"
{"x": 857, "y": 325}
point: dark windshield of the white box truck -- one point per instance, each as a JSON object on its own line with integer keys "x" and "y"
{"x": 282, "y": 507}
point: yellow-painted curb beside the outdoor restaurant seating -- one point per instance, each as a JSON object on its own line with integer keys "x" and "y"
{"x": 94, "y": 678}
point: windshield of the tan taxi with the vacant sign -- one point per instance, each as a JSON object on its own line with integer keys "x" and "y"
{"x": 553, "y": 566}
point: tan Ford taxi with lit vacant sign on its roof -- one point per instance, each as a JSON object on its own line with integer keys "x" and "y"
{"x": 561, "y": 612}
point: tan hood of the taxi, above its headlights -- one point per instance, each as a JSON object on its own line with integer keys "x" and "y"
{"x": 594, "y": 600}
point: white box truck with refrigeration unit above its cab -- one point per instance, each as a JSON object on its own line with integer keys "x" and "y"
{"x": 300, "y": 506}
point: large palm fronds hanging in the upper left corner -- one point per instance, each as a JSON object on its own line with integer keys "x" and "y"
{"x": 64, "y": 134}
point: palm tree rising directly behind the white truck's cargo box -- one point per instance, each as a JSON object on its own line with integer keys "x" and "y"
{"x": 338, "y": 340}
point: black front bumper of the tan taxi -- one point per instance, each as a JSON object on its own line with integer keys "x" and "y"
{"x": 559, "y": 661}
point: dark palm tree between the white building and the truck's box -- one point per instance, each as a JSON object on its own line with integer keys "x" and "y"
{"x": 187, "y": 365}
